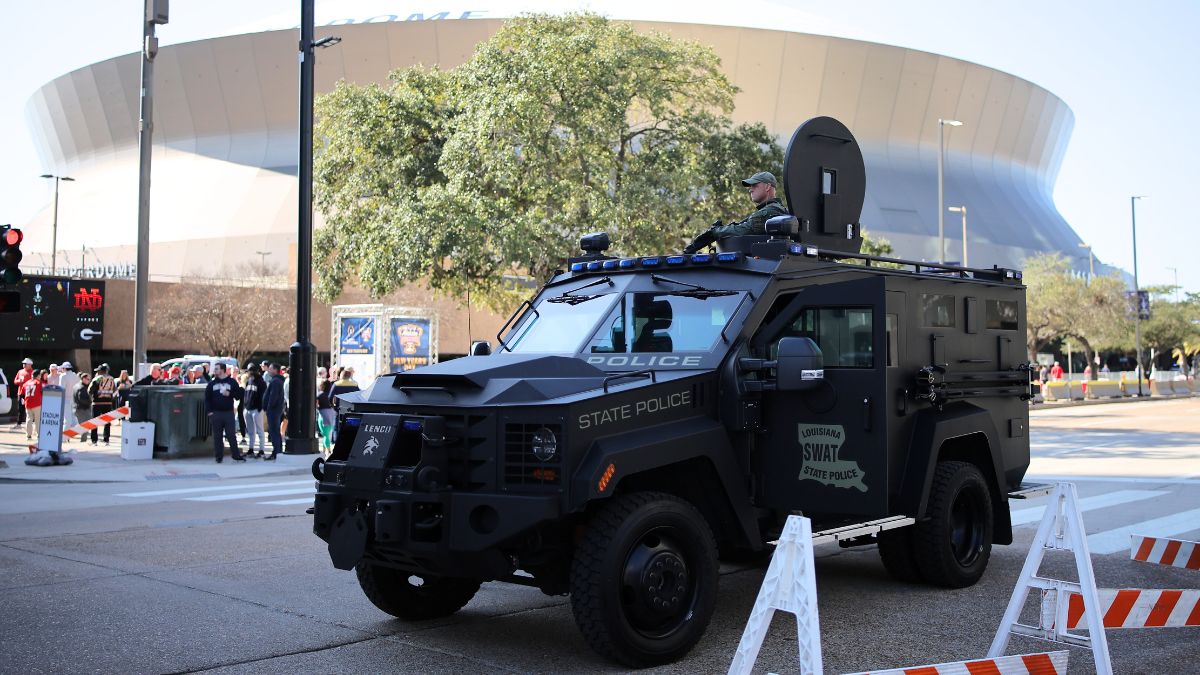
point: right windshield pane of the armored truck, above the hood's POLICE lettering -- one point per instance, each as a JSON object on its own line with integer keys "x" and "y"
{"x": 664, "y": 322}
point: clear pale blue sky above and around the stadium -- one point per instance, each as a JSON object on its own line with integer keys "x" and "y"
{"x": 1130, "y": 71}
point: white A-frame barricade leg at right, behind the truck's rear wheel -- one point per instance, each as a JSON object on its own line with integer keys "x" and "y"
{"x": 1061, "y": 529}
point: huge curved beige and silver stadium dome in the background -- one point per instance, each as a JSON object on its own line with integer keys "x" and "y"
{"x": 226, "y": 120}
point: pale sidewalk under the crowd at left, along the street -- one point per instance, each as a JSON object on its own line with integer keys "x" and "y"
{"x": 104, "y": 464}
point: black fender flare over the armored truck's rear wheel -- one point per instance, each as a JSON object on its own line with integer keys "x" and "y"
{"x": 931, "y": 432}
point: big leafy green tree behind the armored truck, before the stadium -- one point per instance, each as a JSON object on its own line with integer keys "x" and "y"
{"x": 557, "y": 127}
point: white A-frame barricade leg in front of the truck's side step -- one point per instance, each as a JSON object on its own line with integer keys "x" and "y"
{"x": 790, "y": 586}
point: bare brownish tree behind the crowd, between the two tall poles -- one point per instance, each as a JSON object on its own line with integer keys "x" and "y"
{"x": 212, "y": 314}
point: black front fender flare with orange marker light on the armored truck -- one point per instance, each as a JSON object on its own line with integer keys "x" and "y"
{"x": 615, "y": 458}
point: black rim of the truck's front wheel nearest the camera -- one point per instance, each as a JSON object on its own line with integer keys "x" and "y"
{"x": 658, "y": 584}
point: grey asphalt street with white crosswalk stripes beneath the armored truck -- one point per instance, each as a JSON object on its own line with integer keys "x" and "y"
{"x": 206, "y": 571}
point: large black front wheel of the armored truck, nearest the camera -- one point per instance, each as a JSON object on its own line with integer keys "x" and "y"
{"x": 644, "y": 580}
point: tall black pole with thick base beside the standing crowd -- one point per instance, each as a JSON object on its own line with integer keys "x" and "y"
{"x": 303, "y": 356}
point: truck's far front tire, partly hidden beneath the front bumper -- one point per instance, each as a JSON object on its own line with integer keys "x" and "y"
{"x": 413, "y": 598}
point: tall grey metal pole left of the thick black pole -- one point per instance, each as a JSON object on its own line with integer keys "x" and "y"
{"x": 155, "y": 15}
